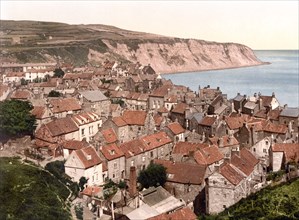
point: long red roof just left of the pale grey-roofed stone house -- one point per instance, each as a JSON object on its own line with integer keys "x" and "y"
{"x": 64, "y": 105}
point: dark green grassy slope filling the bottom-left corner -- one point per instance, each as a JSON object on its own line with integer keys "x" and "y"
{"x": 27, "y": 192}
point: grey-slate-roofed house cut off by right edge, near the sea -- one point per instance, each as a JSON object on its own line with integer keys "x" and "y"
{"x": 290, "y": 117}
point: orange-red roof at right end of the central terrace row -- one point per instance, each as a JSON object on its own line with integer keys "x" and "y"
{"x": 156, "y": 140}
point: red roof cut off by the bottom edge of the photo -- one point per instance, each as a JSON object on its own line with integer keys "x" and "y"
{"x": 182, "y": 214}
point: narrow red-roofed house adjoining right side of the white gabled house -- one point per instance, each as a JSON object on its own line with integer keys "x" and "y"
{"x": 115, "y": 162}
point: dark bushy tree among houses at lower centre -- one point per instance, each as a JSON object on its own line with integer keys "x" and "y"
{"x": 153, "y": 175}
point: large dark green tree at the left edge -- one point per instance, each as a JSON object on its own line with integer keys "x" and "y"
{"x": 16, "y": 118}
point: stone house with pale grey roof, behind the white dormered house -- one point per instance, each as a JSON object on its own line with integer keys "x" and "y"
{"x": 95, "y": 101}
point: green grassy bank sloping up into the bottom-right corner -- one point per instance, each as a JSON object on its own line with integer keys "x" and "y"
{"x": 278, "y": 202}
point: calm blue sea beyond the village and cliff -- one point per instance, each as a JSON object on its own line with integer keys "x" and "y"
{"x": 281, "y": 77}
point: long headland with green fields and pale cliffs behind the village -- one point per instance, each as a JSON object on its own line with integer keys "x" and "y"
{"x": 33, "y": 41}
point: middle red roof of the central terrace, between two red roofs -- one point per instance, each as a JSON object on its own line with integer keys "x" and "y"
{"x": 133, "y": 147}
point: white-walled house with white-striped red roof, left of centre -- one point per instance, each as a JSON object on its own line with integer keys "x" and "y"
{"x": 88, "y": 124}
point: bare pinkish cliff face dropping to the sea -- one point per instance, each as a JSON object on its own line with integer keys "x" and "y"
{"x": 187, "y": 55}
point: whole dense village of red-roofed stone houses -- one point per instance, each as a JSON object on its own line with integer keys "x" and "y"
{"x": 110, "y": 122}
